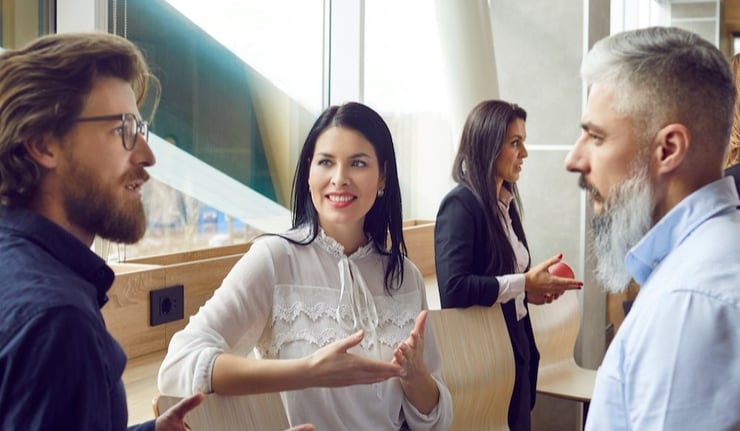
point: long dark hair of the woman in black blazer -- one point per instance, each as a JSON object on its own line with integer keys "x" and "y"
{"x": 483, "y": 137}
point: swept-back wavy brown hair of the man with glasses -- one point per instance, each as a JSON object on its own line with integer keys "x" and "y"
{"x": 43, "y": 89}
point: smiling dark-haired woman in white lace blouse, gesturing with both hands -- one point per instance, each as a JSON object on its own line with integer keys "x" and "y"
{"x": 335, "y": 316}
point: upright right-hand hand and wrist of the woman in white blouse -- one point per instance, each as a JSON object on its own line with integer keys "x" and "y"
{"x": 417, "y": 383}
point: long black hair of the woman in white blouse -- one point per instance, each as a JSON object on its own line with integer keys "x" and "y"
{"x": 384, "y": 219}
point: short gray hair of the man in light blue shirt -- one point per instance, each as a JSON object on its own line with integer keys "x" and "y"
{"x": 663, "y": 75}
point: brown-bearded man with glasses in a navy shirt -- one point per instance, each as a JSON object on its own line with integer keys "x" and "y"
{"x": 73, "y": 159}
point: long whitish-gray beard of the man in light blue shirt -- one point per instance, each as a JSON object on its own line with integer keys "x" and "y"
{"x": 625, "y": 219}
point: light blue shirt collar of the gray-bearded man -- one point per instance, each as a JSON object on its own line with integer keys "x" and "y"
{"x": 715, "y": 198}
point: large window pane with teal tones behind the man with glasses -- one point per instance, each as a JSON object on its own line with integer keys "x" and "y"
{"x": 240, "y": 86}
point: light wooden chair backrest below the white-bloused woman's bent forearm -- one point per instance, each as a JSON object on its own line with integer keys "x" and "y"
{"x": 263, "y": 412}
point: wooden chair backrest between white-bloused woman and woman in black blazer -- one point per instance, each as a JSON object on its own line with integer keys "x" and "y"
{"x": 477, "y": 365}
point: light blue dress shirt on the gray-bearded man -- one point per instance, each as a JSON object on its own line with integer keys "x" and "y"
{"x": 675, "y": 361}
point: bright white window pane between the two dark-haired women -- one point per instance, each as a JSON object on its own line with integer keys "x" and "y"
{"x": 404, "y": 82}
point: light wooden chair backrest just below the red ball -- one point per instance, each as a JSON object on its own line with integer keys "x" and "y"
{"x": 556, "y": 327}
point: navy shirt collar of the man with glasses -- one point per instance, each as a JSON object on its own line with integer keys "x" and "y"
{"x": 61, "y": 245}
